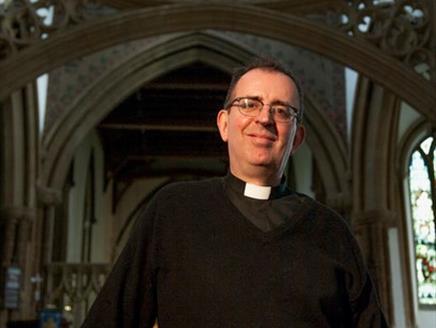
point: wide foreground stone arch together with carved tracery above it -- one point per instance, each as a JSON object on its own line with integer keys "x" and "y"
{"x": 389, "y": 41}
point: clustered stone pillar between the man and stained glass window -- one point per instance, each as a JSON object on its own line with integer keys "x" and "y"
{"x": 375, "y": 123}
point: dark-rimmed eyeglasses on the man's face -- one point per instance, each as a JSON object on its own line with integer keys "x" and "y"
{"x": 252, "y": 107}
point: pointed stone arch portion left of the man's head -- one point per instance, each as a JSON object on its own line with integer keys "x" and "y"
{"x": 61, "y": 141}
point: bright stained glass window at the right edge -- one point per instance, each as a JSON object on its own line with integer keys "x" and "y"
{"x": 422, "y": 184}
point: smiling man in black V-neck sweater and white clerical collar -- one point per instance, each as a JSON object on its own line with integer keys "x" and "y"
{"x": 243, "y": 250}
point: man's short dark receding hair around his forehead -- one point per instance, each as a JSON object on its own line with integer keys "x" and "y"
{"x": 269, "y": 64}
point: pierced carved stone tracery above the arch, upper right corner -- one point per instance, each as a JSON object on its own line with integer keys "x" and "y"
{"x": 400, "y": 28}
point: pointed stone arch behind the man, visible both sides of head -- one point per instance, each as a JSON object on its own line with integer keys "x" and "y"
{"x": 60, "y": 143}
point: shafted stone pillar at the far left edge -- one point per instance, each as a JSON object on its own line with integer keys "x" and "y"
{"x": 19, "y": 144}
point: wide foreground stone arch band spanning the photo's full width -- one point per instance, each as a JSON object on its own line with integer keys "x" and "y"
{"x": 132, "y": 25}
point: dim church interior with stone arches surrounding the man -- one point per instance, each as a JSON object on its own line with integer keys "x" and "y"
{"x": 103, "y": 102}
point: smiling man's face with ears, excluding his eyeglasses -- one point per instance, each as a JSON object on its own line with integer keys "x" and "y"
{"x": 258, "y": 146}
